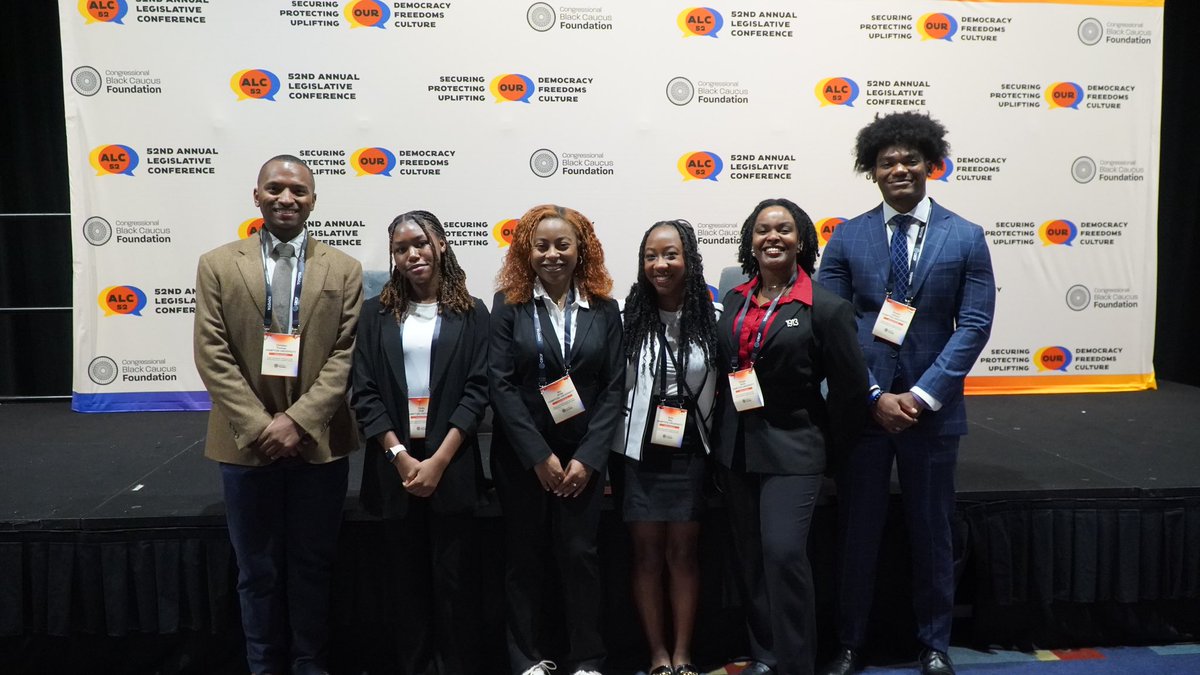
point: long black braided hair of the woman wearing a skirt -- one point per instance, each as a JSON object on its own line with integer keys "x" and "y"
{"x": 698, "y": 321}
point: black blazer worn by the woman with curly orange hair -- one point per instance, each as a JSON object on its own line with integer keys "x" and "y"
{"x": 524, "y": 425}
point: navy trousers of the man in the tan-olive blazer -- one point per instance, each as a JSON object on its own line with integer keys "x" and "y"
{"x": 284, "y": 523}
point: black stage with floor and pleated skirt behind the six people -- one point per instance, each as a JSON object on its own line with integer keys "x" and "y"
{"x": 1078, "y": 524}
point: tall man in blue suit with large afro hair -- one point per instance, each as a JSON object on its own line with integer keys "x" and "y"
{"x": 921, "y": 280}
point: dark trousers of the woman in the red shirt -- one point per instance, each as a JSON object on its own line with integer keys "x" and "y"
{"x": 771, "y": 517}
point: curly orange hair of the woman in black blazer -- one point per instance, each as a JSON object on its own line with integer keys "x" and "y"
{"x": 517, "y": 276}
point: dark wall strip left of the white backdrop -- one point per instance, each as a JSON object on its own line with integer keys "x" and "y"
{"x": 35, "y": 252}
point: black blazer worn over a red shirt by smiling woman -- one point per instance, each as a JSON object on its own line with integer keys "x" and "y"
{"x": 795, "y": 432}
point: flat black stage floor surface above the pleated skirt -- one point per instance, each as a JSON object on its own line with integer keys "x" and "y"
{"x": 64, "y": 470}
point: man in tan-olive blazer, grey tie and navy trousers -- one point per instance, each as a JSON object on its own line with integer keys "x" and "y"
{"x": 281, "y": 441}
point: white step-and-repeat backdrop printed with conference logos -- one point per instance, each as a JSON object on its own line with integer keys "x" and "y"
{"x": 631, "y": 112}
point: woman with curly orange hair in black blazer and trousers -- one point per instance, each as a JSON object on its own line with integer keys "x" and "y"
{"x": 549, "y": 464}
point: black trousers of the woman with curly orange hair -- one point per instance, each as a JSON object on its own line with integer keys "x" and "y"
{"x": 545, "y": 535}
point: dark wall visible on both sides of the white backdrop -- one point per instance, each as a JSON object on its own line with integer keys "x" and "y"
{"x": 35, "y": 252}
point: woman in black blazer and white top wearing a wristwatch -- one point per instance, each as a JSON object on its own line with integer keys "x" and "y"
{"x": 419, "y": 393}
